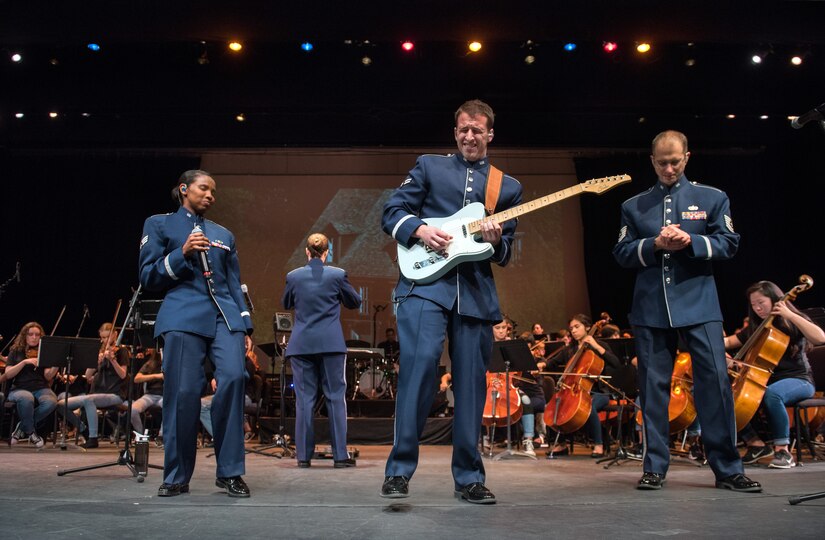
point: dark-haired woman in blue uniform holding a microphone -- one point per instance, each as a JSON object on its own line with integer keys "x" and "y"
{"x": 194, "y": 262}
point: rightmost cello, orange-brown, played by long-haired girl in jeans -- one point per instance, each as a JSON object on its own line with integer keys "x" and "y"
{"x": 757, "y": 359}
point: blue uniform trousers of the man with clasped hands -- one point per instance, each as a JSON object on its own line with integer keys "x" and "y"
{"x": 656, "y": 350}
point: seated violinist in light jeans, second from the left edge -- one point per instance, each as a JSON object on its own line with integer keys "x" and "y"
{"x": 107, "y": 382}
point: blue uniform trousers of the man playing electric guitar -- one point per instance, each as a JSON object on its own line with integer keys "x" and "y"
{"x": 422, "y": 328}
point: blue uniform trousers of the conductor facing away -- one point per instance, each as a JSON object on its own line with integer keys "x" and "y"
{"x": 307, "y": 372}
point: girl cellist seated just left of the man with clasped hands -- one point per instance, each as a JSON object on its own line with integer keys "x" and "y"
{"x": 579, "y": 326}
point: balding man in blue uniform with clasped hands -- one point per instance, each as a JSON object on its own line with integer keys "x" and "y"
{"x": 671, "y": 234}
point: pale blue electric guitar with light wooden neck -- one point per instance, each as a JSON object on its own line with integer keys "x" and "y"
{"x": 422, "y": 264}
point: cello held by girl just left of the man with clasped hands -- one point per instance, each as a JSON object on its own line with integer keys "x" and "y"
{"x": 572, "y": 399}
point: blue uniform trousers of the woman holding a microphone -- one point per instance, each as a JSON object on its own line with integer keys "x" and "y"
{"x": 183, "y": 381}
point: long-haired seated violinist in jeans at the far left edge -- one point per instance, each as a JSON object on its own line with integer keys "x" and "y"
{"x": 29, "y": 384}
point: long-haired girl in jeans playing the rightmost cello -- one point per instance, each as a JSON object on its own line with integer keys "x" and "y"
{"x": 791, "y": 381}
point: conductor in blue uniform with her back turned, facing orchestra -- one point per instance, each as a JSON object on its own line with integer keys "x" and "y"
{"x": 317, "y": 349}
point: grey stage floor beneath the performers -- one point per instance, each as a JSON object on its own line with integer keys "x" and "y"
{"x": 570, "y": 497}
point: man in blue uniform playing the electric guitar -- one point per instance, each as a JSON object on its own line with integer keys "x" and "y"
{"x": 462, "y": 304}
